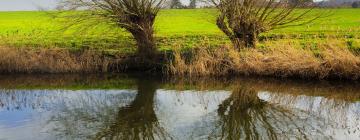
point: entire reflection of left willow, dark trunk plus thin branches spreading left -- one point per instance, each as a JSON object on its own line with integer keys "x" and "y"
{"x": 94, "y": 118}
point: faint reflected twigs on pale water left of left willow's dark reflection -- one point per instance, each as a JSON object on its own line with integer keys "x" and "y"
{"x": 86, "y": 114}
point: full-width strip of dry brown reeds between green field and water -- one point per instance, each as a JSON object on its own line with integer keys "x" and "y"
{"x": 330, "y": 59}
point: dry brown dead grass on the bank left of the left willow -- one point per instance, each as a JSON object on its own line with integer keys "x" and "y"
{"x": 22, "y": 60}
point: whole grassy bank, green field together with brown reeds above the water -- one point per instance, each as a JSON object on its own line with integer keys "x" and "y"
{"x": 190, "y": 44}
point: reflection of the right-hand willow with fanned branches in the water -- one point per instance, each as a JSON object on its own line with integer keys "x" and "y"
{"x": 244, "y": 116}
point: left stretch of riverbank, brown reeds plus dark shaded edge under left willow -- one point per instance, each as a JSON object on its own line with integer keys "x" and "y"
{"x": 57, "y": 60}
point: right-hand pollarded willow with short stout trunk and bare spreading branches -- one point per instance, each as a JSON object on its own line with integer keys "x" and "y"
{"x": 243, "y": 20}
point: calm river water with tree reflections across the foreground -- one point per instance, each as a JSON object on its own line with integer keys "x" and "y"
{"x": 47, "y": 107}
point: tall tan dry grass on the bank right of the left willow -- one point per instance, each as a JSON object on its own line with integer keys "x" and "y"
{"x": 279, "y": 59}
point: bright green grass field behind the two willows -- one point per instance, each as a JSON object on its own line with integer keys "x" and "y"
{"x": 184, "y": 28}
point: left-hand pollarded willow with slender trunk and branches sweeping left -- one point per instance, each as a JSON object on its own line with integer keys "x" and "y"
{"x": 135, "y": 16}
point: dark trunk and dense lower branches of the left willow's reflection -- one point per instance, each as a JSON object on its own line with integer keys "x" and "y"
{"x": 138, "y": 120}
